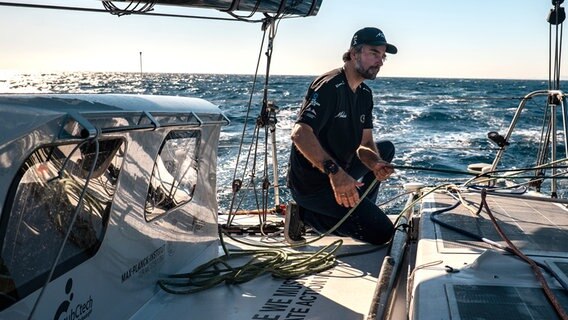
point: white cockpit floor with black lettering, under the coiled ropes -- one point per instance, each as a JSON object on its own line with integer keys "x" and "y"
{"x": 344, "y": 292}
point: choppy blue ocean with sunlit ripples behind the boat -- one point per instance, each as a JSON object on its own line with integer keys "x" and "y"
{"x": 434, "y": 123}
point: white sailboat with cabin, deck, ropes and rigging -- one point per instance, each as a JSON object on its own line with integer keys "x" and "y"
{"x": 109, "y": 211}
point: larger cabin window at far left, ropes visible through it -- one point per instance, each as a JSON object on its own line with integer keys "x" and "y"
{"x": 40, "y": 207}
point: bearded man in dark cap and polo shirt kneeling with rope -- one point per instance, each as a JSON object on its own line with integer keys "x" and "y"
{"x": 334, "y": 157}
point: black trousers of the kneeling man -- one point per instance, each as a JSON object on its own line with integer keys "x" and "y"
{"x": 367, "y": 222}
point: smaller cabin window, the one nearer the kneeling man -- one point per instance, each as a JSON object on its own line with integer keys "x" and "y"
{"x": 174, "y": 176}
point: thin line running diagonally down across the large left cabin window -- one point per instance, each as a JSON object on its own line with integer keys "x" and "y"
{"x": 71, "y": 223}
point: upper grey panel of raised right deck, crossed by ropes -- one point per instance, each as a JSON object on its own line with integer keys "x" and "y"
{"x": 535, "y": 227}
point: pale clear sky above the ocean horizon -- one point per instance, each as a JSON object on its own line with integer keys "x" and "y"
{"x": 504, "y": 39}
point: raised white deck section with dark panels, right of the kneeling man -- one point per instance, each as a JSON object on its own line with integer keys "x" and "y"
{"x": 457, "y": 277}
